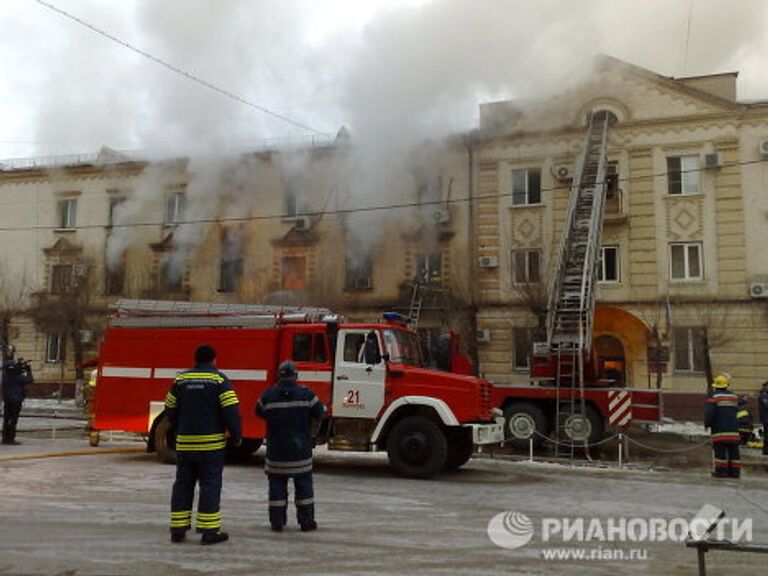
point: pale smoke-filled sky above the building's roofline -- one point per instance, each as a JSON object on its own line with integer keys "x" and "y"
{"x": 386, "y": 69}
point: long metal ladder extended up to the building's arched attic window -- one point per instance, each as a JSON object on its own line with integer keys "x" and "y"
{"x": 572, "y": 294}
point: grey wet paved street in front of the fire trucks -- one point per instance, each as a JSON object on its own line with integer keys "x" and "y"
{"x": 106, "y": 513}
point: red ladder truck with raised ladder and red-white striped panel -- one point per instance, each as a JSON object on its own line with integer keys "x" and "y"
{"x": 568, "y": 401}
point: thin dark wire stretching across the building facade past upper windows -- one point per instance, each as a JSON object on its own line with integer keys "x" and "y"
{"x": 348, "y": 211}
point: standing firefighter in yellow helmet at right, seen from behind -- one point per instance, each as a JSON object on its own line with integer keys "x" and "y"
{"x": 720, "y": 418}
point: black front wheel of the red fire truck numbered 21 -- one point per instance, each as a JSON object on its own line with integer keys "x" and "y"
{"x": 417, "y": 447}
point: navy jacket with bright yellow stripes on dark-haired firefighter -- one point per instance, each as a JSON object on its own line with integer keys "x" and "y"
{"x": 202, "y": 406}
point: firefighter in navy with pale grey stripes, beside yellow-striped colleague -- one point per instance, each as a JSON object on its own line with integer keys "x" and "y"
{"x": 289, "y": 410}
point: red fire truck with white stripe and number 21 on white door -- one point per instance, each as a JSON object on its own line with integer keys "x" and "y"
{"x": 371, "y": 377}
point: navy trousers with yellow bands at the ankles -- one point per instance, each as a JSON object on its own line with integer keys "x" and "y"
{"x": 191, "y": 468}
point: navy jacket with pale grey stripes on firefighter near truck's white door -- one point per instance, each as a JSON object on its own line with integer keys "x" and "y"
{"x": 288, "y": 409}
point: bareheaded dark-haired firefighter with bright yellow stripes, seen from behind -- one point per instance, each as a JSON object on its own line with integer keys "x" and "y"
{"x": 202, "y": 406}
